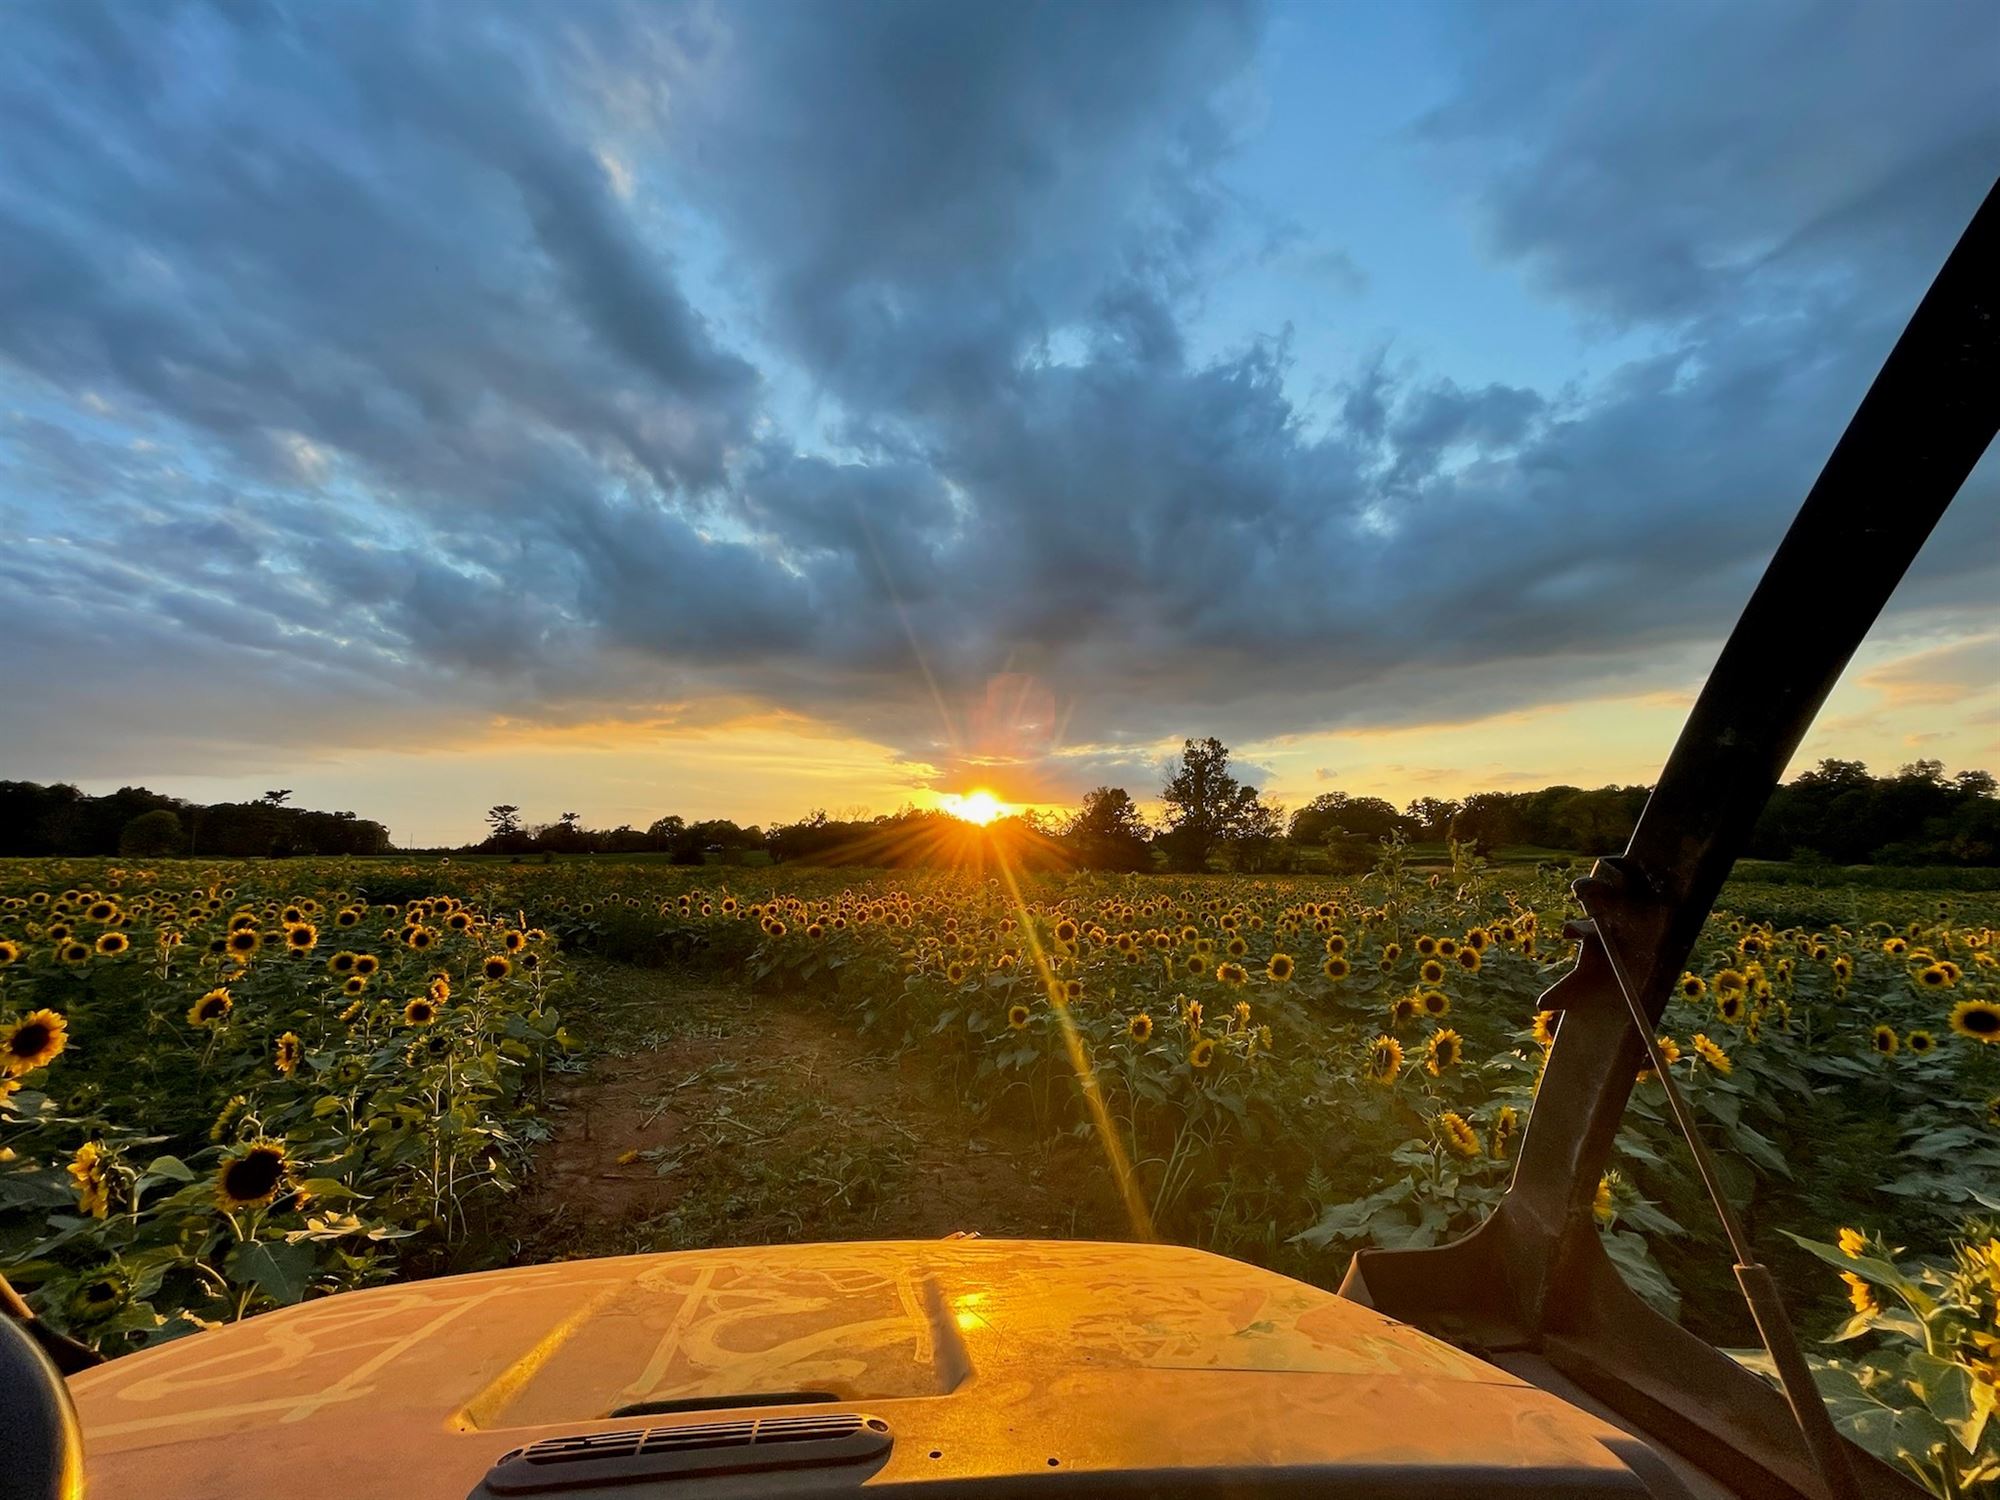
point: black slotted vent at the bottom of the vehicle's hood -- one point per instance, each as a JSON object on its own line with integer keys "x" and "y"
{"x": 691, "y": 1451}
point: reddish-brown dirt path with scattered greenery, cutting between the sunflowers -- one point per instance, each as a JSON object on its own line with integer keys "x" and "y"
{"x": 711, "y": 1117}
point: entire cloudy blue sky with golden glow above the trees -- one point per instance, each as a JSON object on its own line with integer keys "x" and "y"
{"x": 747, "y": 409}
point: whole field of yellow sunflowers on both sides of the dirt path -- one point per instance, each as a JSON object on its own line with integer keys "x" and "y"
{"x": 231, "y": 1087}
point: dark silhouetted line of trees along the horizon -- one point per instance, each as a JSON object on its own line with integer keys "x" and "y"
{"x": 1211, "y": 819}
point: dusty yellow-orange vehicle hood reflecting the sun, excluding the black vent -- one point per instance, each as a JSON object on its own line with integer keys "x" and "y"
{"x": 985, "y": 1357}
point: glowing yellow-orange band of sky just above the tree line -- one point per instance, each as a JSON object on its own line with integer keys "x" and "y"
{"x": 1919, "y": 697}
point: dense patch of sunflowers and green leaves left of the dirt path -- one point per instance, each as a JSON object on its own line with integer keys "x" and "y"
{"x": 219, "y": 1133}
